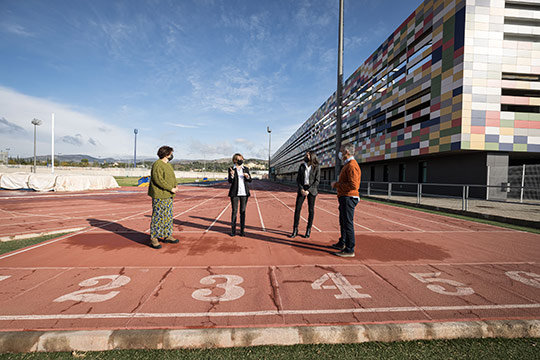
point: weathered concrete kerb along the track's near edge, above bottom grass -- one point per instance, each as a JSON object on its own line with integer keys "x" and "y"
{"x": 100, "y": 340}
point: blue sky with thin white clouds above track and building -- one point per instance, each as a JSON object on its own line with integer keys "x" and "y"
{"x": 203, "y": 76}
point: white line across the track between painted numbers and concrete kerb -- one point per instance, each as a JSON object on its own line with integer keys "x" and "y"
{"x": 405, "y": 309}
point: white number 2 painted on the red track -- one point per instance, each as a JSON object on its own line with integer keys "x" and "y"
{"x": 89, "y": 295}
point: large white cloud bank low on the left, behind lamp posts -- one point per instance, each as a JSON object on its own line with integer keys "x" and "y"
{"x": 75, "y": 131}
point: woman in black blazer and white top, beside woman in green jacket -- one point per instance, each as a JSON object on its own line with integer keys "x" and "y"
{"x": 239, "y": 178}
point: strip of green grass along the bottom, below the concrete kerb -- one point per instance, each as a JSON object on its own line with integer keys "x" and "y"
{"x": 508, "y": 349}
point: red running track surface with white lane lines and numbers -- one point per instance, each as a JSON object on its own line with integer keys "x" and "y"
{"x": 410, "y": 266}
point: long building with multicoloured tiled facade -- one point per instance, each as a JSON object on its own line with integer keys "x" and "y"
{"x": 452, "y": 92}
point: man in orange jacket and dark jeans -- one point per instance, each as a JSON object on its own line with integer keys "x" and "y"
{"x": 347, "y": 190}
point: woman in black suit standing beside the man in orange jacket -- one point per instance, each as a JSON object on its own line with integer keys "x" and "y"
{"x": 308, "y": 179}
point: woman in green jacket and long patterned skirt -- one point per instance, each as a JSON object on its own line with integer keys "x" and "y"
{"x": 162, "y": 190}
